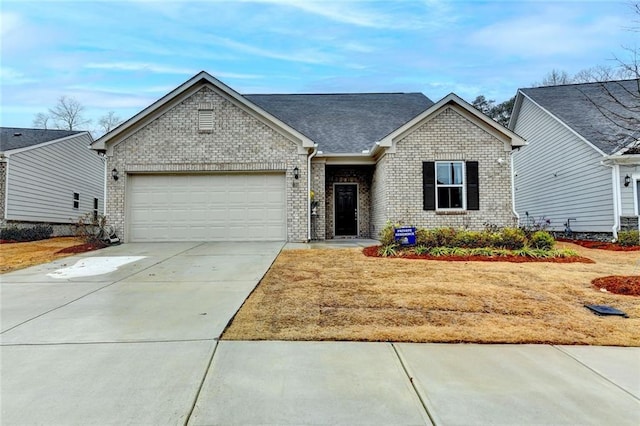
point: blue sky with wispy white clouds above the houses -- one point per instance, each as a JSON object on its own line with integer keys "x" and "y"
{"x": 122, "y": 56}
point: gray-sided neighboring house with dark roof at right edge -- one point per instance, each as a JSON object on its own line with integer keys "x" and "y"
{"x": 582, "y": 160}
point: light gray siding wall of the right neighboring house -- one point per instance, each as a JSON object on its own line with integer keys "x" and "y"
{"x": 559, "y": 176}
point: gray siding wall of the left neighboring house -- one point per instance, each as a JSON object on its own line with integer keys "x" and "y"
{"x": 42, "y": 181}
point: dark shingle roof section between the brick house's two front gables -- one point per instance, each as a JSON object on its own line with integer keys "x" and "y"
{"x": 344, "y": 123}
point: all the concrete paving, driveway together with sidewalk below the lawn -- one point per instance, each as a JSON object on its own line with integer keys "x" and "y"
{"x": 129, "y": 335}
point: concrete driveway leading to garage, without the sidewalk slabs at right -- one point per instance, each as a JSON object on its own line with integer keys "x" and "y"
{"x": 87, "y": 342}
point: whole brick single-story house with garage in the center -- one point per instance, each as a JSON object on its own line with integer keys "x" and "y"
{"x": 206, "y": 163}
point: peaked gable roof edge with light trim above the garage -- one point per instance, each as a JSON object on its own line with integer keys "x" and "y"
{"x": 187, "y": 89}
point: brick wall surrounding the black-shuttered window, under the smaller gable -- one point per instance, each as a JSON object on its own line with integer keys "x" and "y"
{"x": 397, "y": 181}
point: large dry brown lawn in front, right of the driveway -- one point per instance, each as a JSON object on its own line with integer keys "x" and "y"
{"x": 340, "y": 294}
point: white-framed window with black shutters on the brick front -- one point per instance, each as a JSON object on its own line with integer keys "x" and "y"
{"x": 450, "y": 185}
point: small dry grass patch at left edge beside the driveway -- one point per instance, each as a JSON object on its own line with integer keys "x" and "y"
{"x": 15, "y": 256}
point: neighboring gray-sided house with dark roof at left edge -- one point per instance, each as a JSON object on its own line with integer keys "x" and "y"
{"x": 49, "y": 176}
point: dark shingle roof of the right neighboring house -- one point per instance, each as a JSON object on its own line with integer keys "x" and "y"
{"x": 581, "y": 107}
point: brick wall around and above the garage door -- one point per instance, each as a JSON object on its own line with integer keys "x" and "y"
{"x": 239, "y": 142}
